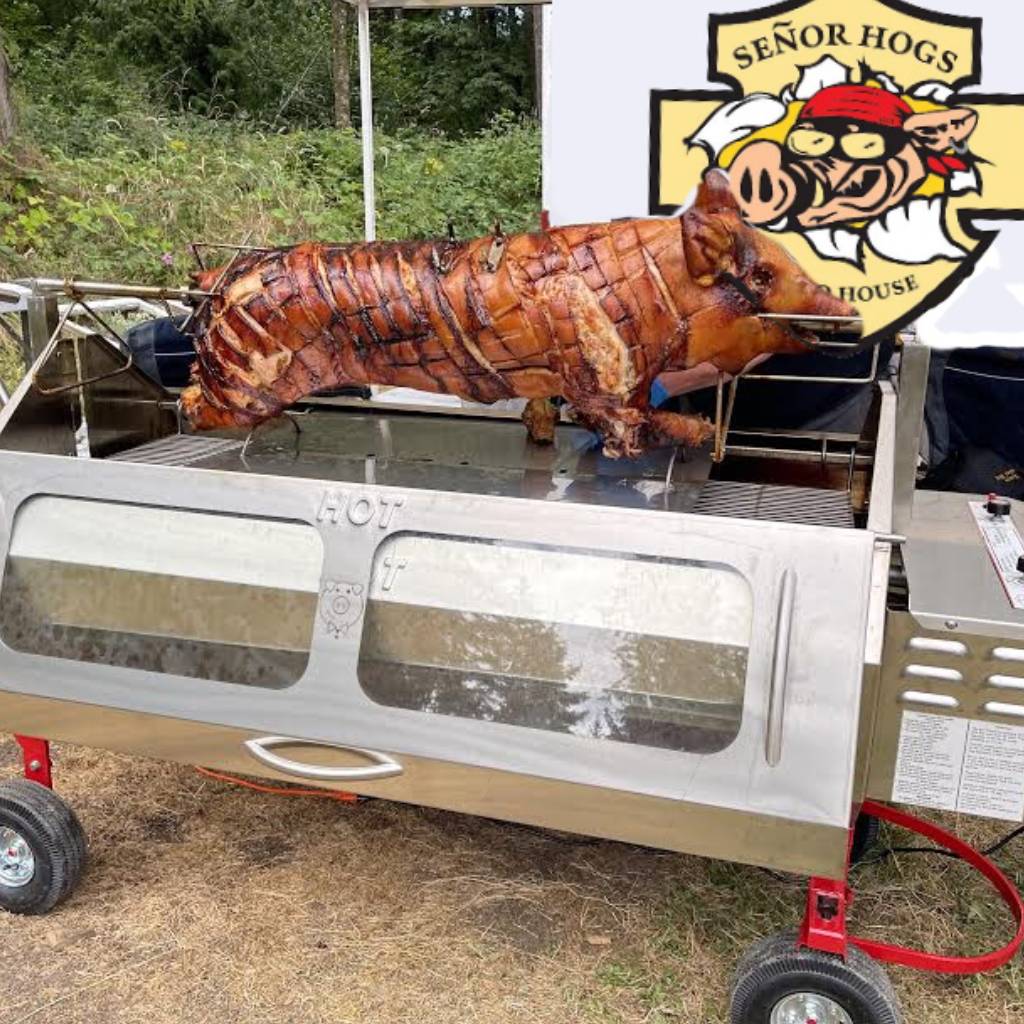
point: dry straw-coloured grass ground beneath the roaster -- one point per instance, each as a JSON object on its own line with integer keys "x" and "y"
{"x": 208, "y": 904}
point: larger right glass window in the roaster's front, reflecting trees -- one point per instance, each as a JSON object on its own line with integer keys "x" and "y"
{"x": 639, "y": 651}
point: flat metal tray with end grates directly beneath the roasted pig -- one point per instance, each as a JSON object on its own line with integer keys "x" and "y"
{"x": 492, "y": 457}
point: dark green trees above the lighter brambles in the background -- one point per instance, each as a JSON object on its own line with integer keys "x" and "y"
{"x": 267, "y": 62}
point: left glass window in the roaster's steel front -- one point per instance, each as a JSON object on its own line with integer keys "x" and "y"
{"x": 221, "y": 598}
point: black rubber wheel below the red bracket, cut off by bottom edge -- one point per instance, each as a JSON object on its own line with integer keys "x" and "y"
{"x": 780, "y": 984}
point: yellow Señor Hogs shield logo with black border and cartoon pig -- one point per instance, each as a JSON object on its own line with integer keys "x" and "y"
{"x": 847, "y": 130}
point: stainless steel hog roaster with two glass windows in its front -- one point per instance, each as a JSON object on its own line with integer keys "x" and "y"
{"x": 726, "y": 659}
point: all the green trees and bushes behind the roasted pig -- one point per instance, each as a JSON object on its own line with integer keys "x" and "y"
{"x": 147, "y": 124}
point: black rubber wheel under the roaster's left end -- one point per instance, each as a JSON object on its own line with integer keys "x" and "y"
{"x": 42, "y": 848}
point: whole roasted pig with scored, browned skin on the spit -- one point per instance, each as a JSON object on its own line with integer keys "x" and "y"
{"x": 592, "y": 314}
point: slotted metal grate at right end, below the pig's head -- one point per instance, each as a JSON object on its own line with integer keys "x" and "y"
{"x": 776, "y": 504}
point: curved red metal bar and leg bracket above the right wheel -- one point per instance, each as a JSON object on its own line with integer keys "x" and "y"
{"x": 829, "y": 901}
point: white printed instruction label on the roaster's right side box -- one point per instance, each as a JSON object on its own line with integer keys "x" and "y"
{"x": 951, "y": 764}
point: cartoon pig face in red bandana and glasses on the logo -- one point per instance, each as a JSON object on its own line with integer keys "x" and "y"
{"x": 855, "y": 153}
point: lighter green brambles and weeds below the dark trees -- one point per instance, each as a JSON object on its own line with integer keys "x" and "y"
{"x": 126, "y": 202}
